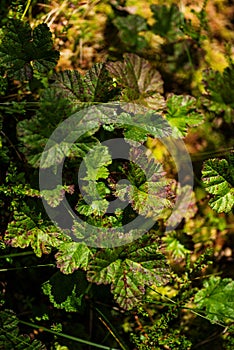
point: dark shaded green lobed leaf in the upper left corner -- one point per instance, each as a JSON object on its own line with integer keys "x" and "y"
{"x": 22, "y": 49}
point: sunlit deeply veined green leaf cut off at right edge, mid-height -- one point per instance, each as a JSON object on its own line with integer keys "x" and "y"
{"x": 218, "y": 179}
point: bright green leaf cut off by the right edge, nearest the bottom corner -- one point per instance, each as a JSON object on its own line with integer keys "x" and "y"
{"x": 216, "y": 299}
